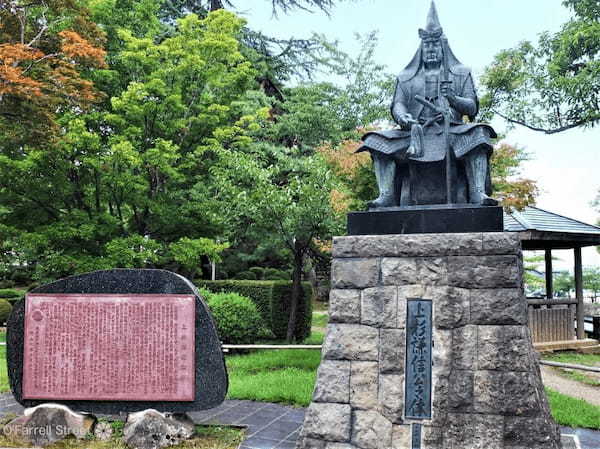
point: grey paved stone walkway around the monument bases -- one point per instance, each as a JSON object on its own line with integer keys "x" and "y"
{"x": 273, "y": 426}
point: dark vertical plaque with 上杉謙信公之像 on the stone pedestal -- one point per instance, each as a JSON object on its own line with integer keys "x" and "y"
{"x": 418, "y": 359}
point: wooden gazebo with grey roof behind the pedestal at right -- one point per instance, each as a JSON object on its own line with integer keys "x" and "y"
{"x": 543, "y": 230}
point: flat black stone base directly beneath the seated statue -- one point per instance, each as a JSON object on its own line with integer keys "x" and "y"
{"x": 426, "y": 220}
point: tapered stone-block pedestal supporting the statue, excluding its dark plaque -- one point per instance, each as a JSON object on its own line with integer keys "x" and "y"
{"x": 486, "y": 389}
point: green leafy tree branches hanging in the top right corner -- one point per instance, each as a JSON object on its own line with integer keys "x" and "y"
{"x": 554, "y": 85}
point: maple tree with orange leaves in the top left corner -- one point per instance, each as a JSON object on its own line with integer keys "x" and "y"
{"x": 48, "y": 49}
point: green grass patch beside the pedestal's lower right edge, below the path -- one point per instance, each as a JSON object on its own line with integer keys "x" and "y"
{"x": 568, "y": 411}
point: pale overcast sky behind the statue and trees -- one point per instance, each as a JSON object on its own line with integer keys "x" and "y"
{"x": 565, "y": 165}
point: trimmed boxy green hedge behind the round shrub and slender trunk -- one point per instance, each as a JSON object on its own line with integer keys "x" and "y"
{"x": 272, "y": 299}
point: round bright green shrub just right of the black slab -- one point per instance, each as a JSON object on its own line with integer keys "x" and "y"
{"x": 237, "y": 318}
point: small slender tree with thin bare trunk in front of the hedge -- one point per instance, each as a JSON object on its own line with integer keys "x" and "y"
{"x": 286, "y": 195}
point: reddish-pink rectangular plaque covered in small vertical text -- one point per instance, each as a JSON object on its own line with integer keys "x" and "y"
{"x": 118, "y": 347}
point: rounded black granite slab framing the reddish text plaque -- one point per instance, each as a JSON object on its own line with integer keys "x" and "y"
{"x": 211, "y": 374}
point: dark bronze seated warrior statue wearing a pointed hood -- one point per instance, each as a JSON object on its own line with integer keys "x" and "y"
{"x": 433, "y": 94}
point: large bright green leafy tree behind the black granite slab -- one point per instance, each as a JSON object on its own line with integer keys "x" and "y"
{"x": 127, "y": 186}
